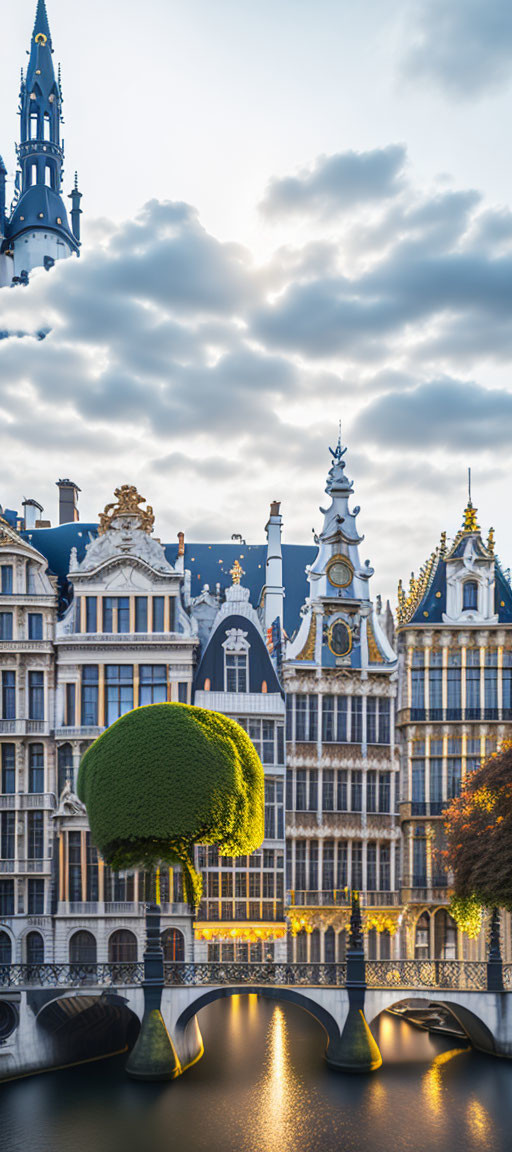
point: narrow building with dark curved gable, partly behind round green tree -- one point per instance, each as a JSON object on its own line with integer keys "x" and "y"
{"x": 243, "y": 914}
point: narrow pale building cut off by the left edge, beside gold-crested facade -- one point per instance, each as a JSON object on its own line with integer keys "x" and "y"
{"x": 28, "y": 785}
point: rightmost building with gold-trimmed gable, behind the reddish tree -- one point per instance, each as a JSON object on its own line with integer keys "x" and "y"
{"x": 455, "y": 642}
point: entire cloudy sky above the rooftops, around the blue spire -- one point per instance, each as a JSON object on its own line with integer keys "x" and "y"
{"x": 296, "y": 214}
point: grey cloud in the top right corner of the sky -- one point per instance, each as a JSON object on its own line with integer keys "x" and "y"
{"x": 465, "y": 47}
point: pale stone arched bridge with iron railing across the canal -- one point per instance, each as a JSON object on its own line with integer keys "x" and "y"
{"x": 54, "y": 1015}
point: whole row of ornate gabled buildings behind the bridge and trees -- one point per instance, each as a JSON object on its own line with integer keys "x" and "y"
{"x": 365, "y": 733}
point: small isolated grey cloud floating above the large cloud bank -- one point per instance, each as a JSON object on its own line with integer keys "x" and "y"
{"x": 337, "y": 184}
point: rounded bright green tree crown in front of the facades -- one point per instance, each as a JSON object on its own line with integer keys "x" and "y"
{"x": 167, "y": 777}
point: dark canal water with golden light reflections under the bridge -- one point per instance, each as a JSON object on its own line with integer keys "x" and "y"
{"x": 263, "y": 1087}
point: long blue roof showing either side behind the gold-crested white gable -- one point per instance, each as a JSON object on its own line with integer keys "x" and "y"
{"x": 209, "y": 564}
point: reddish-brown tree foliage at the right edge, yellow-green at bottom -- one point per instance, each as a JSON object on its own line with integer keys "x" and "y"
{"x": 479, "y": 837}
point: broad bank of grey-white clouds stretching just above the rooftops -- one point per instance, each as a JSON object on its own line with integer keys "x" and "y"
{"x": 176, "y": 362}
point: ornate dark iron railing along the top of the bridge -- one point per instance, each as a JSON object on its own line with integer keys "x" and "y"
{"x": 400, "y": 975}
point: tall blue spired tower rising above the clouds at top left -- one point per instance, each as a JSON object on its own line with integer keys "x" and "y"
{"x": 35, "y": 232}
